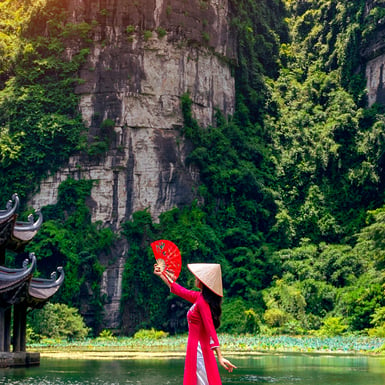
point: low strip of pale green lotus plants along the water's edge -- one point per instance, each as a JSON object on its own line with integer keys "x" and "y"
{"x": 174, "y": 346}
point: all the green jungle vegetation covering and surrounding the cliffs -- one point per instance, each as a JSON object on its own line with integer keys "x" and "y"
{"x": 291, "y": 199}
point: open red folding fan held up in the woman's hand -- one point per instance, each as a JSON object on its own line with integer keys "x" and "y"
{"x": 168, "y": 258}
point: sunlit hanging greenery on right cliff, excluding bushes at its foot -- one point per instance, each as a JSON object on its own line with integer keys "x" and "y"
{"x": 326, "y": 145}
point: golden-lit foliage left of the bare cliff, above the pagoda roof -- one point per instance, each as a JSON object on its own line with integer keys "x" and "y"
{"x": 39, "y": 121}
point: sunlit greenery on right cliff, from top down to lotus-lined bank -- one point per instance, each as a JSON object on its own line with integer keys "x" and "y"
{"x": 327, "y": 150}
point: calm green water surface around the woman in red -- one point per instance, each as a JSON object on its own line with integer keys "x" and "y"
{"x": 291, "y": 369}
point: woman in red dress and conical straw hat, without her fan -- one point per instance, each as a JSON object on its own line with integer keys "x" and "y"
{"x": 203, "y": 319}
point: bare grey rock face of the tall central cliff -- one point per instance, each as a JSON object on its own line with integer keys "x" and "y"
{"x": 145, "y": 55}
